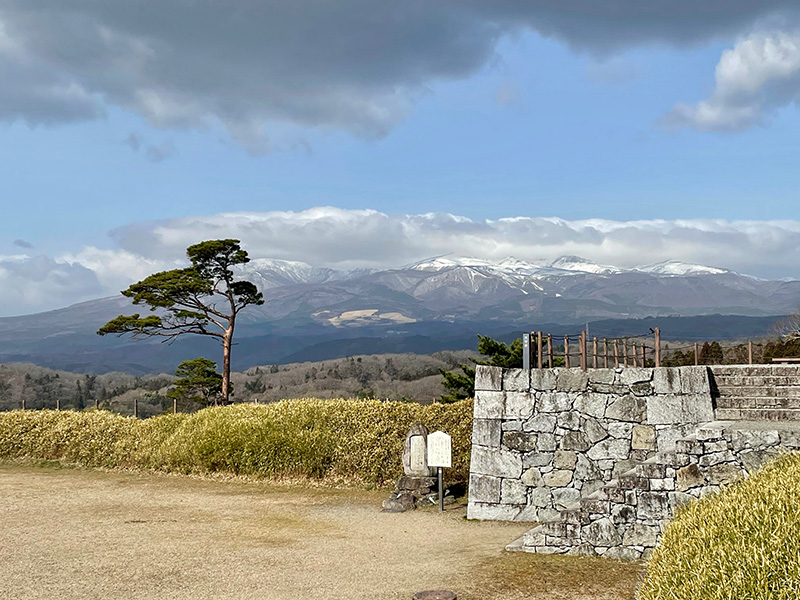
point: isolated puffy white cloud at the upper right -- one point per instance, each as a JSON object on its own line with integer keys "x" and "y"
{"x": 754, "y": 79}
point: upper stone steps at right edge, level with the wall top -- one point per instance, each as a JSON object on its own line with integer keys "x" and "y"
{"x": 756, "y": 392}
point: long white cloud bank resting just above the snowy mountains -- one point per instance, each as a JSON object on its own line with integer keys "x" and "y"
{"x": 349, "y": 239}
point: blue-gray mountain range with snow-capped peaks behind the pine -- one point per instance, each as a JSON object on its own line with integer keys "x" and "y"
{"x": 313, "y": 313}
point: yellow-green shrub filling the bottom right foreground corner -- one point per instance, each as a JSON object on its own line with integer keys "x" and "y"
{"x": 741, "y": 543}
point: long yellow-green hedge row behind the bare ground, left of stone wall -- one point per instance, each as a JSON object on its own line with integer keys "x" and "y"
{"x": 360, "y": 440}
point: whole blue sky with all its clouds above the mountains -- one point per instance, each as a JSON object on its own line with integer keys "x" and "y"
{"x": 373, "y": 134}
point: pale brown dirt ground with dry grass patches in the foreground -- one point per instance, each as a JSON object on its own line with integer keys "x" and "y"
{"x": 69, "y": 533}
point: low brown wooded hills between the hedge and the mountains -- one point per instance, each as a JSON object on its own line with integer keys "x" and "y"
{"x": 401, "y": 377}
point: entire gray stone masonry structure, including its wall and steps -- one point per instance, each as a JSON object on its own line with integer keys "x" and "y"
{"x": 601, "y": 458}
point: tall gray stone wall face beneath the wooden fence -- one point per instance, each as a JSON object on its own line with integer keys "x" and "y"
{"x": 544, "y": 438}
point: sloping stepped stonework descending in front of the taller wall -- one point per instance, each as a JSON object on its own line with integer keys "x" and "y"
{"x": 625, "y": 518}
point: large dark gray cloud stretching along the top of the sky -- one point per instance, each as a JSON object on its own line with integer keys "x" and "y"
{"x": 356, "y": 65}
